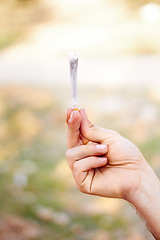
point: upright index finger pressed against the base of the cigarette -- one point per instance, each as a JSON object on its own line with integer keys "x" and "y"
{"x": 73, "y": 134}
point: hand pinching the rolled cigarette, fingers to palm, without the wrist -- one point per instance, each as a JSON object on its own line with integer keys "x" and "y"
{"x": 103, "y": 162}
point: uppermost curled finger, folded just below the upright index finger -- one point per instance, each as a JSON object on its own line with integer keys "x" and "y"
{"x": 84, "y": 151}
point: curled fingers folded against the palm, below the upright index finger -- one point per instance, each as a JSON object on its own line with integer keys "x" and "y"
{"x": 84, "y": 159}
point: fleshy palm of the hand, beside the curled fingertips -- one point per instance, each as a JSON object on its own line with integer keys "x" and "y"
{"x": 119, "y": 175}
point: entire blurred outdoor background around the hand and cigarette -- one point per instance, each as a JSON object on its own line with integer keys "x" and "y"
{"x": 118, "y": 43}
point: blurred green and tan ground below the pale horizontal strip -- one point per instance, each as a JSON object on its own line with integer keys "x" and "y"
{"x": 36, "y": 184}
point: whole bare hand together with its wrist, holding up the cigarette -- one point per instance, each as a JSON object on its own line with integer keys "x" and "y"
{"x": 106, "y": 164}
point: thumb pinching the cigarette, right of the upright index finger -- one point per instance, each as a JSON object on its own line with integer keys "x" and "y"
{"x": 94, "y": 133}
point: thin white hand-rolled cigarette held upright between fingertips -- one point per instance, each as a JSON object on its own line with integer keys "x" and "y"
{"x": 73, "y": 61}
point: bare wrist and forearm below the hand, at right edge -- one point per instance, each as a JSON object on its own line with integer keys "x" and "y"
{"x": 146, "y": 199}
